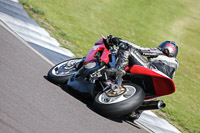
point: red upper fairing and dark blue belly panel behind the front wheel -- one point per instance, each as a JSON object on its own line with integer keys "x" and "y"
{"x": 80, "y": 81}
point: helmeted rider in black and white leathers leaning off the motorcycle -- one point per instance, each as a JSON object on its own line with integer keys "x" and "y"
{"x": 162, "y": 58}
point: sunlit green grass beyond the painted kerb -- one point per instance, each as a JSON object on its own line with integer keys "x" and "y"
{"x": 78, "y": 23}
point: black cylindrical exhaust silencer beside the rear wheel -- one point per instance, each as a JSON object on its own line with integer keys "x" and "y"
{"x": 152, "y": 105}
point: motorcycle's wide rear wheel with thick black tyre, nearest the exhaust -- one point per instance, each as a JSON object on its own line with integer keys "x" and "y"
{"x": 119, "y": 105}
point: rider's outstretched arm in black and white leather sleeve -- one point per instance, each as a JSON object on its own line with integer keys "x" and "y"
{"x": 148, "y": 52}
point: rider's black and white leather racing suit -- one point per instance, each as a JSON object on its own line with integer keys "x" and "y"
{"x": 133, "y": 54}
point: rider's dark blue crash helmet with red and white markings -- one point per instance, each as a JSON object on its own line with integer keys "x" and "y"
{"x": 169, "y": 48}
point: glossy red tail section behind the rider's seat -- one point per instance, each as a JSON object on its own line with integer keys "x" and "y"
{"x": 162, "y": 83}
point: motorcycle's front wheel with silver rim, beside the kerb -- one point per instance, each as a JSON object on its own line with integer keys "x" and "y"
{"x": 60, "y": 73}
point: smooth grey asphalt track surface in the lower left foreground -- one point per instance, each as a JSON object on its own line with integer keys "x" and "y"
{"x": 30, "y": 103}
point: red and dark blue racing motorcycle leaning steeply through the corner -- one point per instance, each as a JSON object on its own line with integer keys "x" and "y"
{"x": 113, "y": 95}
